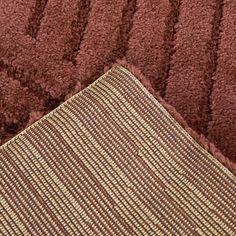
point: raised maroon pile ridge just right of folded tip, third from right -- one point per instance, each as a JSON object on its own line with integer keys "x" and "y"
{"x": 150, "y": 34}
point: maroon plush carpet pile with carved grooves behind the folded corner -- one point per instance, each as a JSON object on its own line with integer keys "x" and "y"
{"x": 51, "y": 49}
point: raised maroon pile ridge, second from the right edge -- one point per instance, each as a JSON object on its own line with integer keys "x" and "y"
{"x": 191, "y": 64}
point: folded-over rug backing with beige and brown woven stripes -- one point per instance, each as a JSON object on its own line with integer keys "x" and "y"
{"x": 112, "y": 161}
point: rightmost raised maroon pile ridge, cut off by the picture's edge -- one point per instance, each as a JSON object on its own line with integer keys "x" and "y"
{"x": 224, "y": 85}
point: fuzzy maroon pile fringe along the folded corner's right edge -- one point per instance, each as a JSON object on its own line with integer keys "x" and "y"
{"x": 199, "y": 138}
